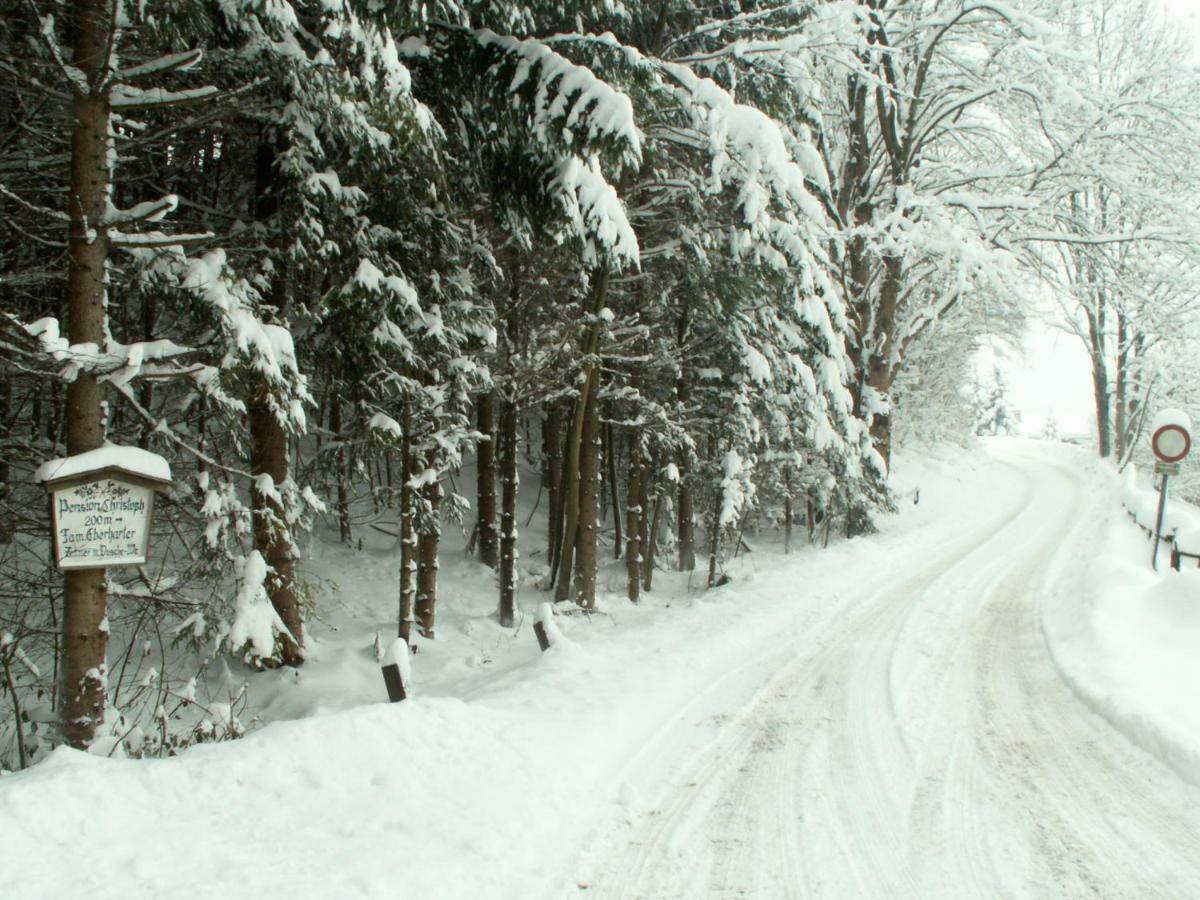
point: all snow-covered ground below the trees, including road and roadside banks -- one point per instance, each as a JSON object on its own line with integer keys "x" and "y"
{"x": 885, "y": 718}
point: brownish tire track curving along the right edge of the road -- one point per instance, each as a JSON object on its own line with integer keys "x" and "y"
{"x": 1076, "y": 761}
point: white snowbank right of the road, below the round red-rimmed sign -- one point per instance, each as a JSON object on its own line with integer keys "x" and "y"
{"x": 1126, "y": 637}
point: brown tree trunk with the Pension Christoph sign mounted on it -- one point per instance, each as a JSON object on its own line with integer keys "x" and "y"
{"x": 86, "y": 591}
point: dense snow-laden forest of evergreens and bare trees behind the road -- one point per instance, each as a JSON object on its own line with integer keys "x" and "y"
{"x": 695, "y": 263}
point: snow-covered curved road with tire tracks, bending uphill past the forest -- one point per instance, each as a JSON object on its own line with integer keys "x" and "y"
{"x": 917, "y": 742}
